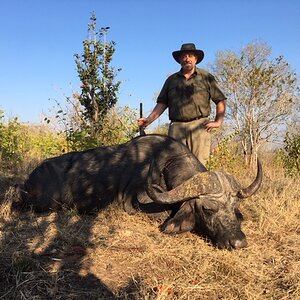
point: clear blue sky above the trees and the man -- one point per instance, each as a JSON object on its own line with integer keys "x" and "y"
{"x": 39, "y": 39}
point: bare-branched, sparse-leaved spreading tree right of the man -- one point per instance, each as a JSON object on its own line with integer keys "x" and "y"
{"x": 261, "y": 94}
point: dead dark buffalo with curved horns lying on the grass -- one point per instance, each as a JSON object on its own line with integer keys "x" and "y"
{"x": 153, "y": 173}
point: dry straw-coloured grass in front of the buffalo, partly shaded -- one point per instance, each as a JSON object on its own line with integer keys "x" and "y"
{"x": 112, "y": 255}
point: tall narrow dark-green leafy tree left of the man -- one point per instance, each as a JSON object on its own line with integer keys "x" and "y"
{"x": 98, "y": 89}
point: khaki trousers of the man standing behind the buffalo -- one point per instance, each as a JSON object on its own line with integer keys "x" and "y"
{"x": 194, "y": 135}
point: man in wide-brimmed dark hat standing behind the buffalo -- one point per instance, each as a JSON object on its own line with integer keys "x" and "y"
{"x": 187, "y": 96}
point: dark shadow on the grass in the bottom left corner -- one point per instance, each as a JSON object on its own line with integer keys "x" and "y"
{"x": 44, "y": 256}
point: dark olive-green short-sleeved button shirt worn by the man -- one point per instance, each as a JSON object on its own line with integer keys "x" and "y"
{"x": 190, "y": 99}
